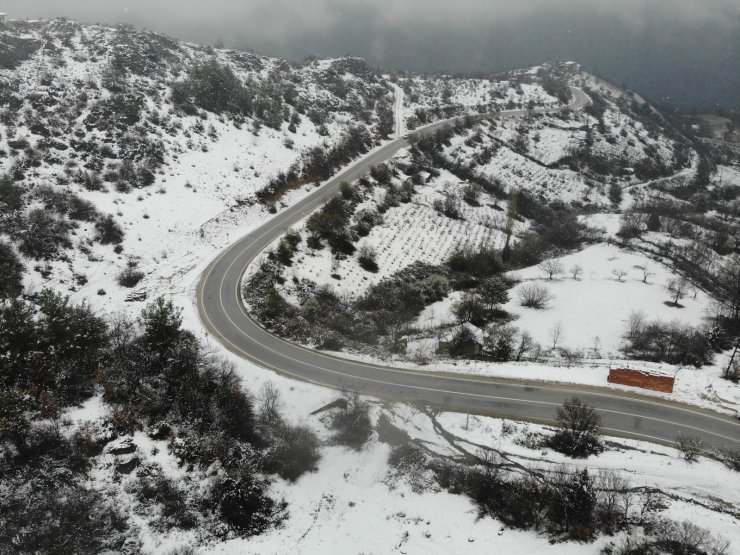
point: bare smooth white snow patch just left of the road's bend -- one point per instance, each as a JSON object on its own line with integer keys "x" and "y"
{"x": 185, "y": 218}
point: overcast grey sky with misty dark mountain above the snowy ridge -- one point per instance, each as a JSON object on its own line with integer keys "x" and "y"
{"x": 657, "y": 46}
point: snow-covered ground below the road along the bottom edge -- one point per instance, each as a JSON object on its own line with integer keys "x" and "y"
{"x": 354, "y": 503}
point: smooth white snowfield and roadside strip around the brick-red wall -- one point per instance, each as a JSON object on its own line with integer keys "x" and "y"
{"x": 592, "y": 312}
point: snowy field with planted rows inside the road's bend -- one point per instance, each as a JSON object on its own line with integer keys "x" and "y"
{"x": 411, "y": 231}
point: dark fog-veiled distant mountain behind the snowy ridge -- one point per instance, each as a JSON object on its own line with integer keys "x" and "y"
{"x": 674, "y": 63}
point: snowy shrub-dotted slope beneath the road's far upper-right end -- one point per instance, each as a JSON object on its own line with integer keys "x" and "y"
{"x": 576, "y": 157}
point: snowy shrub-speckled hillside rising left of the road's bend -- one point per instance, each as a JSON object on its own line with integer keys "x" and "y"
{"x": 89, "y": 113}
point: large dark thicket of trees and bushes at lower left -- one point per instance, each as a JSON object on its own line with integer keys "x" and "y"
{"x": 156, "y": 376}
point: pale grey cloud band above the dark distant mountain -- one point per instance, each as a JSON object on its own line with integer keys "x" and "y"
{"x": 273, "y": 20}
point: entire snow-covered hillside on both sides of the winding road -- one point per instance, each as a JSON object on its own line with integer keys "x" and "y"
{"x": 129, "y": 160}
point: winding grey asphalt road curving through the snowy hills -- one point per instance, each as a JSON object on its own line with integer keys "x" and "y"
{"x": 223, "y": 314}
